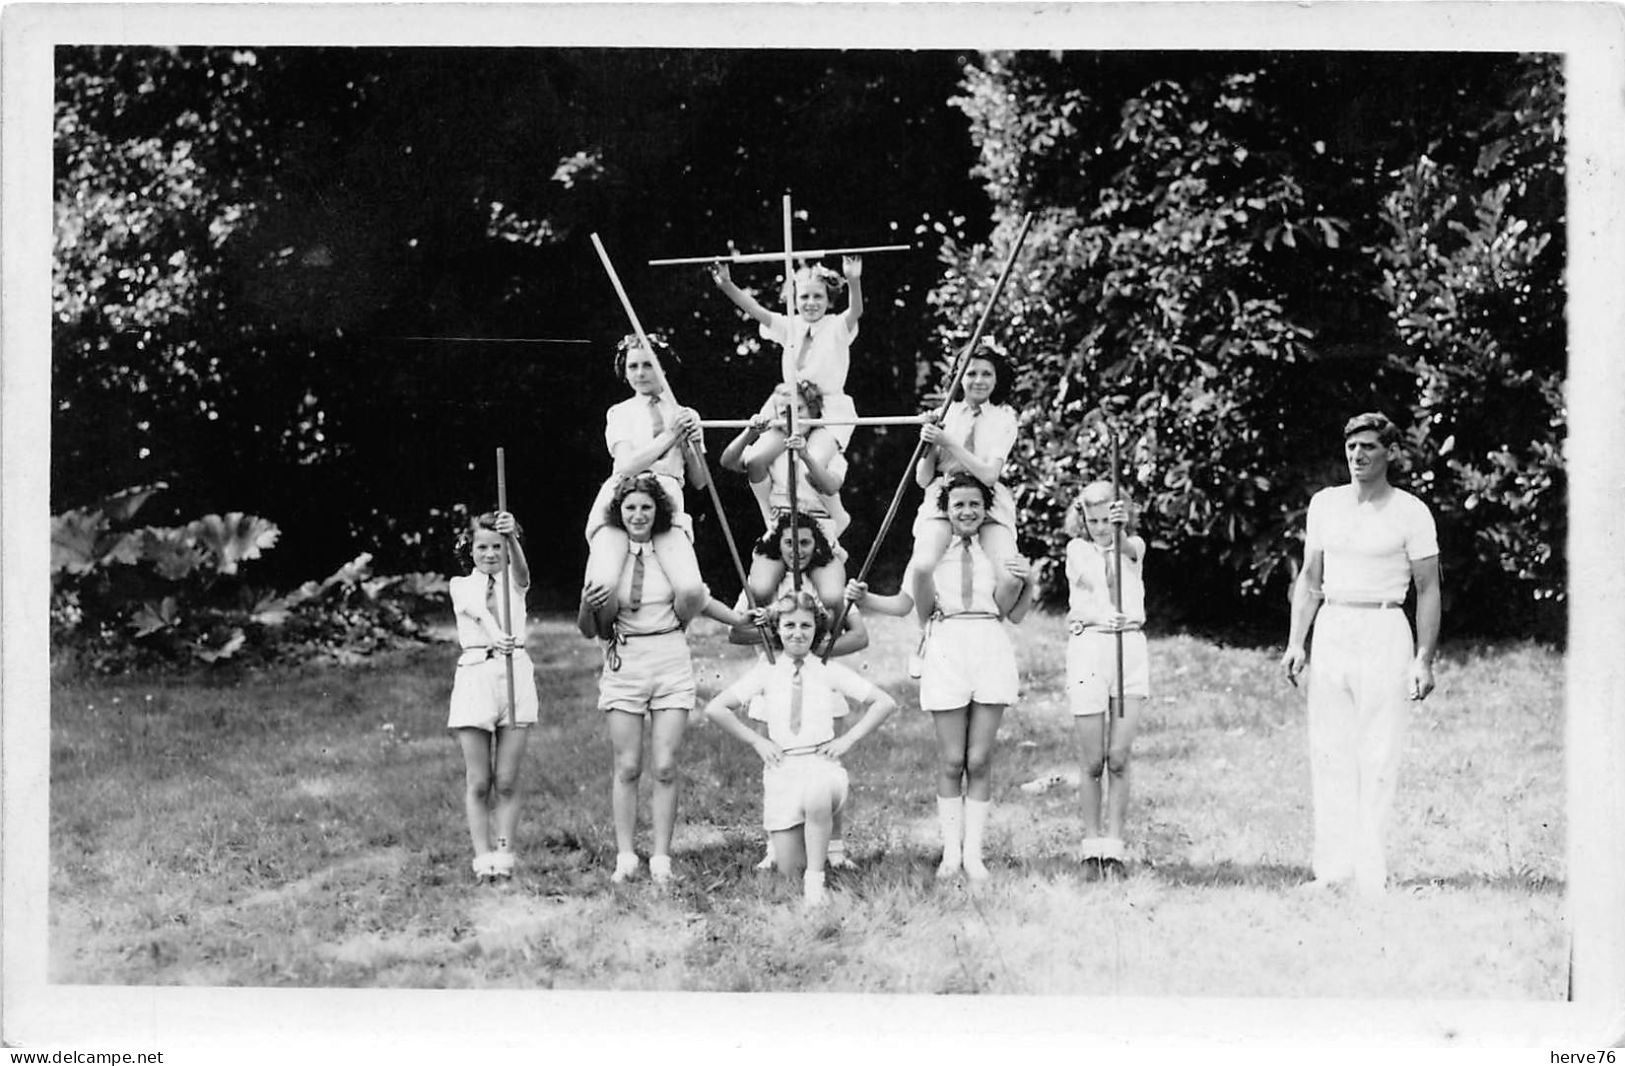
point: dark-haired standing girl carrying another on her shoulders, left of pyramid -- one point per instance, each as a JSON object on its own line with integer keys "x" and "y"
{"x": 648, "y": 675}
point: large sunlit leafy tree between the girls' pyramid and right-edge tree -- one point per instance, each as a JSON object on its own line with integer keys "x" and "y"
{"x": 1205, "y": 272}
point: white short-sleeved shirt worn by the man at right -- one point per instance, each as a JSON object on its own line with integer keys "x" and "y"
{"x": 1369, "y": 547}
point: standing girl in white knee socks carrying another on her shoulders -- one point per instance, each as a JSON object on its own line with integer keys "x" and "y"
{"x": 969, "y": 674}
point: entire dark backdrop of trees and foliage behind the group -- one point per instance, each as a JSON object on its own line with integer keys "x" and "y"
{"x": 1233, "y": 253}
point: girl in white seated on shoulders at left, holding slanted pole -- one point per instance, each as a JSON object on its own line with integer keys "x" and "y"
{"x": 646, "y": 433}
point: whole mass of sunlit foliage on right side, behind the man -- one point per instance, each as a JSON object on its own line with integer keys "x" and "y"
{"x": 1233, "y": 259}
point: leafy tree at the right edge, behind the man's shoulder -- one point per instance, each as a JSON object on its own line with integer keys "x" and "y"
{"x": 1473, "y": 274}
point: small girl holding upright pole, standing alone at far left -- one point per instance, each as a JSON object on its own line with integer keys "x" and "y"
{"x": 480, "y": 711}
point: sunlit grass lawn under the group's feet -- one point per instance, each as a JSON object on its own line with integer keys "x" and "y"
{"x": 305, "y": 830}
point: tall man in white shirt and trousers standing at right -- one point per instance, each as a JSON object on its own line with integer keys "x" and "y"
{"x": 1366, "y": 544}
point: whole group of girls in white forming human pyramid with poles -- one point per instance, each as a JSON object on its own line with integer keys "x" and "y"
{"x": 964, "y": 583}
